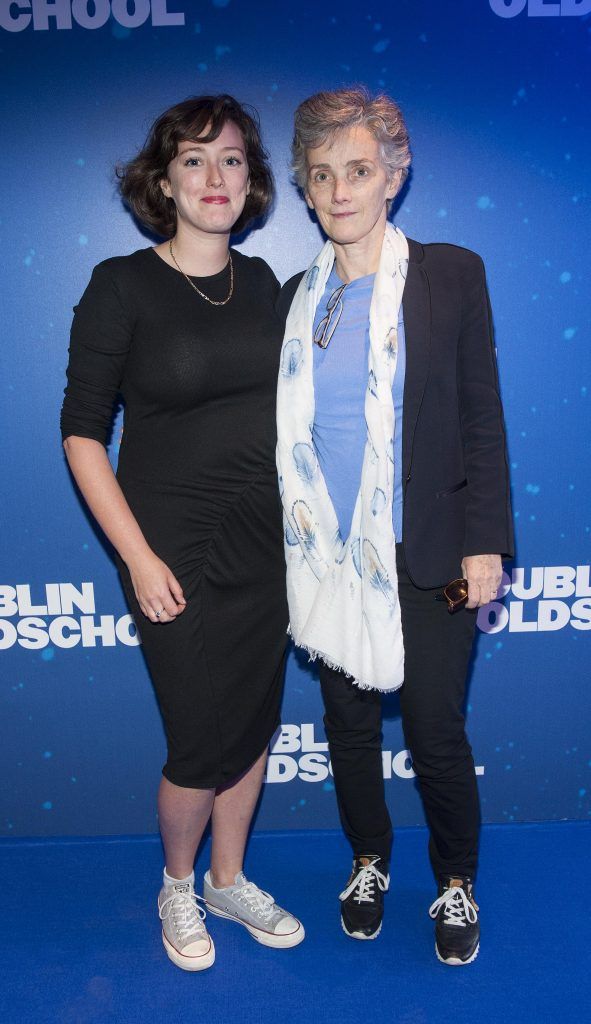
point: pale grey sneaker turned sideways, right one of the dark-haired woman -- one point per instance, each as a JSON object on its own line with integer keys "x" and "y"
{"x": 249, "y": 906}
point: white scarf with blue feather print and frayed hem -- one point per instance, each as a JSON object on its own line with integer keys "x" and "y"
{"x": 344, "y": 595}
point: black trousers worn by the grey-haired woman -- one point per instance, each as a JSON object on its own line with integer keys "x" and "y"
{"x": 438, "y": 650}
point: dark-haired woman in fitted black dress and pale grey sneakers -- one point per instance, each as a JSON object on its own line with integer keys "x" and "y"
{"x": 187, "y": 332}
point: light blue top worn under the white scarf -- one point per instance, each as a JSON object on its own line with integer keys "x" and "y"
{"x": 341, "y": 374}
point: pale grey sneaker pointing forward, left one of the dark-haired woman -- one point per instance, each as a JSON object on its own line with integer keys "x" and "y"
{"x": 186, "y": 938}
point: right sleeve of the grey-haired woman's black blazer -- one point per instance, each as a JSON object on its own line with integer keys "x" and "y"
{"x": 489, "y": 527}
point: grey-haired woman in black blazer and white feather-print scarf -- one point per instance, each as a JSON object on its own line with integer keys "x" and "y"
{"x": 395, "y": 485}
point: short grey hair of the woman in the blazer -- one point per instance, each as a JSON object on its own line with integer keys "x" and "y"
{"x": 325, "y": 114}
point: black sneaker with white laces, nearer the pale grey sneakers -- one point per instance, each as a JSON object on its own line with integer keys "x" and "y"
{"x": 363, "y": 901}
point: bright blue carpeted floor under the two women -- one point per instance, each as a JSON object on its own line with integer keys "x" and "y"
{"x": 81, "y": 940}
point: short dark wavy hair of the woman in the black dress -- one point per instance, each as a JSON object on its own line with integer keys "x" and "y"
{"x": 199, "y": 118}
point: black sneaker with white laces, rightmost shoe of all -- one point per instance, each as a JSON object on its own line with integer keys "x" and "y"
{"x": 457, "y": 929}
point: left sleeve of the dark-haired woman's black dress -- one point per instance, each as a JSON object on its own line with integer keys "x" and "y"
{"x": 100, "y": 346}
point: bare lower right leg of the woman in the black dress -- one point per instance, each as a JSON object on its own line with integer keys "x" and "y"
{"x": 233, "y": 812}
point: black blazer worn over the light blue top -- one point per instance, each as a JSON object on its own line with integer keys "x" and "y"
{"x": 455, "y": 472}
